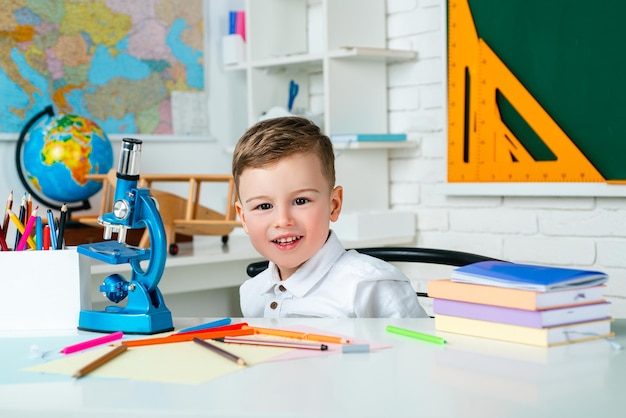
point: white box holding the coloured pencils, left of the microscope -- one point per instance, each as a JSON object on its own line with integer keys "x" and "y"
{"x": 43, "y": 290}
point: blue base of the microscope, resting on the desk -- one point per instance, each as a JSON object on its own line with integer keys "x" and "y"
{"x": 127, "y": 322}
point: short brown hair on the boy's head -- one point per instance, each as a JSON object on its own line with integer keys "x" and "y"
{"x": 269, "y": 141}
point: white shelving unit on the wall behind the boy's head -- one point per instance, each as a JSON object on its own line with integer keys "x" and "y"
{"x": 335, "y": 50}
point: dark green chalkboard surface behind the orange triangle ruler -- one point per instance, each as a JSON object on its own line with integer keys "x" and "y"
{"x": 571, "y": 56}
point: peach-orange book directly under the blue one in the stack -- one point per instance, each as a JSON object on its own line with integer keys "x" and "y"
{"x": 513, "y": 298}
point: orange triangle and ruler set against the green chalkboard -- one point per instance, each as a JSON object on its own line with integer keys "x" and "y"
{"x": 481, "y": 147}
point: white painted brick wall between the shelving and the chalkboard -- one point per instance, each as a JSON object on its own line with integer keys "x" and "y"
{"x": 583, "y": 232}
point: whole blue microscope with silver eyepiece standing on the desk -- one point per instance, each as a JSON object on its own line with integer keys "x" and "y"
{"x": 145, "y": 311}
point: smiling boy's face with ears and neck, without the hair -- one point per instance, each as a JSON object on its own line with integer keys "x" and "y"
{"x": 286, "y": 209}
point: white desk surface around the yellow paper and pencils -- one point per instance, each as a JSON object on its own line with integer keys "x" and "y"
{"x": 468, "y": 377}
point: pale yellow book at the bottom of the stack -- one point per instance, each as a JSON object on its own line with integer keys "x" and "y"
{"x": 541, "y": 337}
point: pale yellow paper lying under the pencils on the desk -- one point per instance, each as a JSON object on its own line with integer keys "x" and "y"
{"x": 184, "y": 362}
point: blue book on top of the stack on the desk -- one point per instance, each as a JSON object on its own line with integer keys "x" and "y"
{"x": 527, "y": 276}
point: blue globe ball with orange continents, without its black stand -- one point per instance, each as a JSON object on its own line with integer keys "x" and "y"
{"x": 59, "y": 154}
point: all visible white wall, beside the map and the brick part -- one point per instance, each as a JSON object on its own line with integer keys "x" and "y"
{"x": 583, "y": 232}
